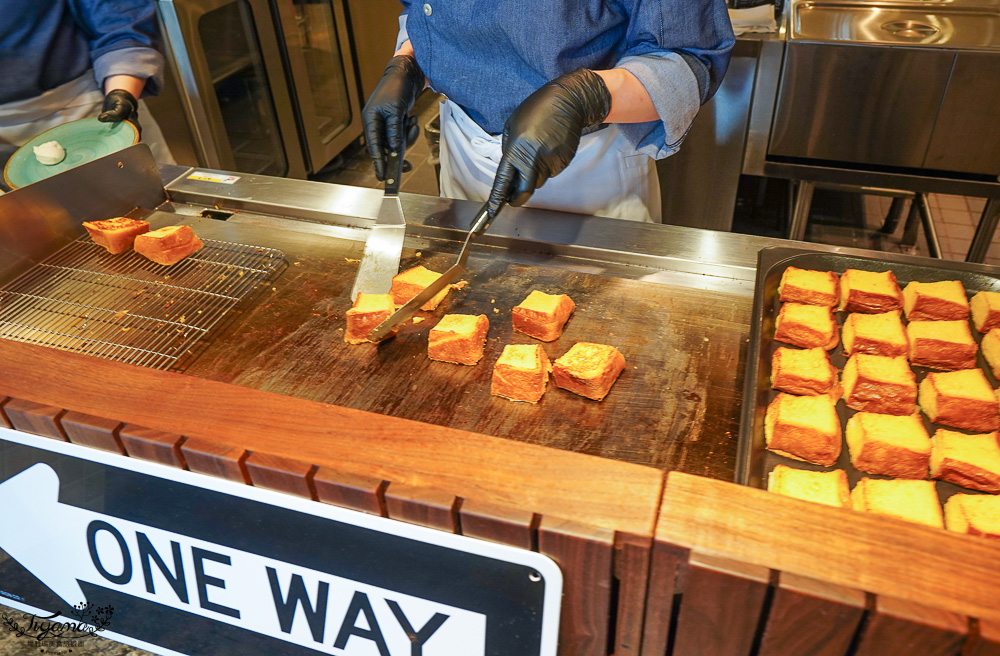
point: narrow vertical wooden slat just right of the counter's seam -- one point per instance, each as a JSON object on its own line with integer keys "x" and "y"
{"x": 668, "y": 565}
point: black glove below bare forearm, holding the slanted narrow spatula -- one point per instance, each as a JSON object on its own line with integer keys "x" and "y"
{"x": 542, "y": 135}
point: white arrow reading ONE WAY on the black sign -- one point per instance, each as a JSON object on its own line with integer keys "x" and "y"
{"x": 314, "y": 609}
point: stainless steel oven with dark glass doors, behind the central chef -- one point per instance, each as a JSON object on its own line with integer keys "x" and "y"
{"x": 268, "y": 85}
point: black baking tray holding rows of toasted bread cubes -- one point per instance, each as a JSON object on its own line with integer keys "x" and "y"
{"x": 754, "y": 462}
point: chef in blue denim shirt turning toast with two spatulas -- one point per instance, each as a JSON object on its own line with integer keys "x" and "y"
{"x": 559, "y": 104}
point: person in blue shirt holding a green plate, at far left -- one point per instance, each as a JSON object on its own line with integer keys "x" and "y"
{"x": 64, "y": 60}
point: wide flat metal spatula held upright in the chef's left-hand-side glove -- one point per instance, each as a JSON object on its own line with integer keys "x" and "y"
{"x": 385, "y": 244}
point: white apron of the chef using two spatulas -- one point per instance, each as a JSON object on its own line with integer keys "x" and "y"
{"x": 606, "y": 177}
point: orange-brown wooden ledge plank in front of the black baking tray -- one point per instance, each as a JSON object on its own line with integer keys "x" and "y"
{"x": 880, "y": 555}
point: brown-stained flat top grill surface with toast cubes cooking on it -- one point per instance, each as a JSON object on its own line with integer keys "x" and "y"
{"x": 676, "y": 406}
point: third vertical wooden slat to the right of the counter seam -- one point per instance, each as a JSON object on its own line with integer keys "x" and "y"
{"x": 811, "y": 617}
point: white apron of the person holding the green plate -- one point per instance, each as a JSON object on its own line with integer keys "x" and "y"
{"x": 22, "y": 120}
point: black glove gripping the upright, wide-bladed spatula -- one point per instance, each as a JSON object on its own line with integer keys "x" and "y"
{"x": 386, "y": 114}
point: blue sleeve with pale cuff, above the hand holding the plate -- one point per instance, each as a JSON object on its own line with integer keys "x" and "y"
{"x": 124, "y": 39}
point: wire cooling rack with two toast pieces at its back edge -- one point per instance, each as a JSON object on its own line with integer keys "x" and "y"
{"x": 125, "y": 307}
